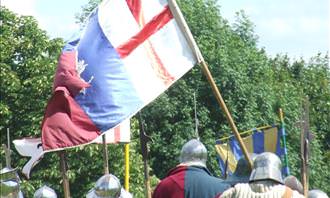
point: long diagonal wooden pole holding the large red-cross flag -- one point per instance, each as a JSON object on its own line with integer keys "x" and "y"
{"x": 185, "y": 29}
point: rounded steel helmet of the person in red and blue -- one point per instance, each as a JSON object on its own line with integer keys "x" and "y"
{"x": 193, "y": 153}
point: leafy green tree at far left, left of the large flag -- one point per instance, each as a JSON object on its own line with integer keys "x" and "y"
{"x": 28, "y": 59}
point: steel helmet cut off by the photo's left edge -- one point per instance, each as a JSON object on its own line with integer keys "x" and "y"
{"x": 9, "y": 183}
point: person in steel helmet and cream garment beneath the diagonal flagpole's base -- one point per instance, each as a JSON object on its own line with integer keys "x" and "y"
{"x": 265, "y": 181}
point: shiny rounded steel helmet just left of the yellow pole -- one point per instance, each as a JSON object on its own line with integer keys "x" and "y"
{"x": 107, "y": 186}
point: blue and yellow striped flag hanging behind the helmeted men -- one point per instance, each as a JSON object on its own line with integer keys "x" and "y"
{"x": 266, "y": 140}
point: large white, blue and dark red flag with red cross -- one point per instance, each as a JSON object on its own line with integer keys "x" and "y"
{"x": 129, "y": 53}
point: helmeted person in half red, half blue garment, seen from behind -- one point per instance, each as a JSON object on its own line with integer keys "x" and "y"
{"x": 190, "y": 178}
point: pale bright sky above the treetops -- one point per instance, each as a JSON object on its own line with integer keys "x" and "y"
{"x": 299, "y": 28}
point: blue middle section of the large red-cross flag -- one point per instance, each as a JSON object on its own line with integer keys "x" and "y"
{"x": 104, "y": 102}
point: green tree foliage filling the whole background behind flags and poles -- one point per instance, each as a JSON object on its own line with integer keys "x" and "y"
{"x": 253, "y": 86}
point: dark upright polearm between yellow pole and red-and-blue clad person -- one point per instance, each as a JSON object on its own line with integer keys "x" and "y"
{"x": 144, "y": 150}
